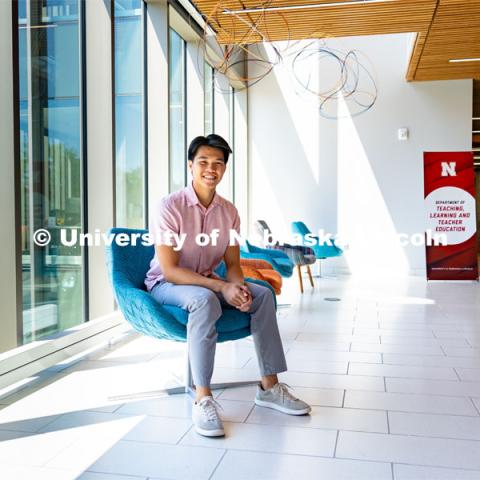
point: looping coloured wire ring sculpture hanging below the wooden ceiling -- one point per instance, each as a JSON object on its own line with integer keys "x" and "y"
{"x": 253, "y": 46}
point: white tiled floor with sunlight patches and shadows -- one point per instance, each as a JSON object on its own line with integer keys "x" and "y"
{"x": 392, "y": 371}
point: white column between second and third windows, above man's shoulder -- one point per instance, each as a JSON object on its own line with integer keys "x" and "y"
{"x": 157, "y": 103}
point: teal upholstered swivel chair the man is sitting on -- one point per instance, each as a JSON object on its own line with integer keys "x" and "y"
{"x": 127, "y": 268}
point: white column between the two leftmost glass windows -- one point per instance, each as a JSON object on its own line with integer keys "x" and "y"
{"x": 99, "y": 149}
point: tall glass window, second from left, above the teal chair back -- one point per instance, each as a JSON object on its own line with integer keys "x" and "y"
{"x": 129, "y": 114}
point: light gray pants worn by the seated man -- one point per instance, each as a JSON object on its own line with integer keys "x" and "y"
{"x": 205, "y": 308}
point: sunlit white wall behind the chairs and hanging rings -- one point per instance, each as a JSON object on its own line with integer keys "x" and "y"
{"x": 352, "y": 175}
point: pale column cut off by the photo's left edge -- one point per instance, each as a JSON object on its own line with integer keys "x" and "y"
{"x": 8, "y": 284}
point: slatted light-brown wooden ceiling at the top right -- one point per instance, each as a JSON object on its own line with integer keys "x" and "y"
{"x": 446, "y": 29}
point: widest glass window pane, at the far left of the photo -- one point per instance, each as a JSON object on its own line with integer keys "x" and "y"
{"x": 51, "y": 160}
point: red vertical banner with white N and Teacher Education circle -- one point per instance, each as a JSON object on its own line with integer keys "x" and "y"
{"x": 450, "y": 208}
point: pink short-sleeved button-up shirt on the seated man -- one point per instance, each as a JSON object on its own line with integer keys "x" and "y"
{"x": 182, "y": 213}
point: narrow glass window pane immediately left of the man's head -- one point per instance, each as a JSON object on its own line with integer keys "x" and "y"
{"x": 176, "y": 69}
